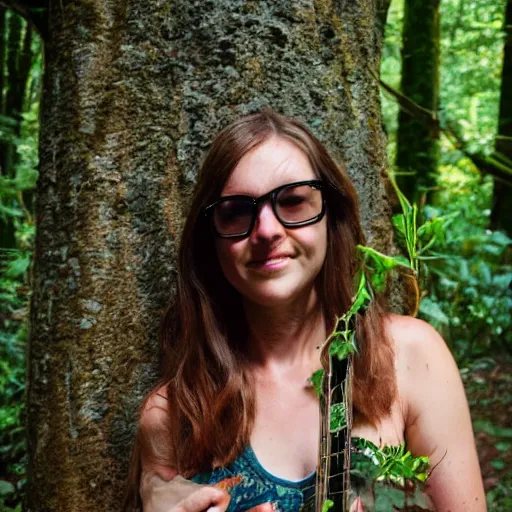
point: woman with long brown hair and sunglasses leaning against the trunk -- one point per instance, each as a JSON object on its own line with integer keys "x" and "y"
{"x": 266, "y": 264}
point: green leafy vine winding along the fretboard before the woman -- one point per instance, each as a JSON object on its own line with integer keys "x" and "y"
{"x": 394, "y": 465}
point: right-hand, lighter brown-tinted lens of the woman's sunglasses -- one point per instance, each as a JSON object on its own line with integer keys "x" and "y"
{"x": 298, "y": 204}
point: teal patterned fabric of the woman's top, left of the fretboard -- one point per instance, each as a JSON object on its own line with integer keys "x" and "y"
{"x": 258, "y": 486}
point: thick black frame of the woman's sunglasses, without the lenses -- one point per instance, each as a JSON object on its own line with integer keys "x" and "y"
{"x": 257, "y": 201}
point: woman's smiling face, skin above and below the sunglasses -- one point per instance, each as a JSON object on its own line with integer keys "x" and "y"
{"x": 274, "y": 265}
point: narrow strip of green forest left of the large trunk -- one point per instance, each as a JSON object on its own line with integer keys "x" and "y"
{"x": 20, "y": 90}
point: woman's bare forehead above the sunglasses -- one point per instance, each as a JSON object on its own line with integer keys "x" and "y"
{"x": 275, "y": 162}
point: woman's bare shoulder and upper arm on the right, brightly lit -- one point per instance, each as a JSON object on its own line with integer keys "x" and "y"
{"x": 438, "y": 423}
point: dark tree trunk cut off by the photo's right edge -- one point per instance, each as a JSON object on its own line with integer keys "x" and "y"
{"x": 501, "y": 215}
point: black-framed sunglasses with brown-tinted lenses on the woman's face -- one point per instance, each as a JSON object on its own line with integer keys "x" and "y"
{"x": 294, "y": 205}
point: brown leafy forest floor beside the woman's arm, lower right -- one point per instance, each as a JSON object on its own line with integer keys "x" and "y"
{"x": 488, "y": 384}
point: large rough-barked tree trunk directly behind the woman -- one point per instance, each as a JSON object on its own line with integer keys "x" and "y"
{"x": 134, "y": 92}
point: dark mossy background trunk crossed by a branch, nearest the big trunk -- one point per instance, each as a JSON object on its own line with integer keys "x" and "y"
{"x": 417, "y": 140}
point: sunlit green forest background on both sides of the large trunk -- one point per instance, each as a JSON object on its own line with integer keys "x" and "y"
{"x": 446, "y": 92}
